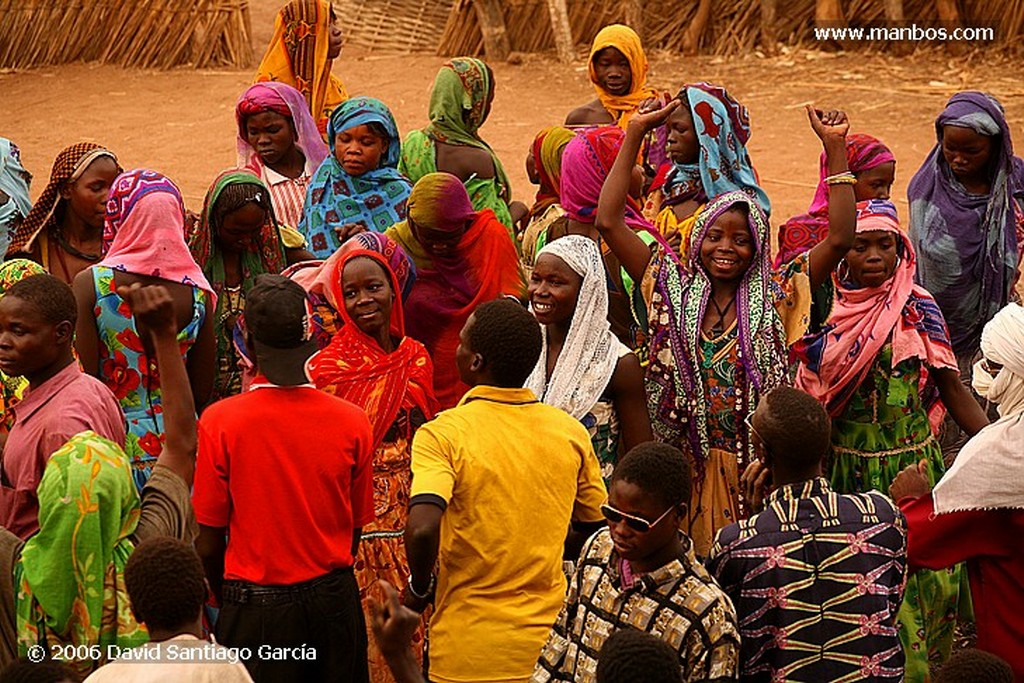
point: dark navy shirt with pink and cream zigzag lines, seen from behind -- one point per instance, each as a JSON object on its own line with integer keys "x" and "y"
{"x": 818, "y": 580}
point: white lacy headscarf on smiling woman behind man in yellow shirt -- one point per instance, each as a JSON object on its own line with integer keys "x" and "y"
{"x": 591, "y": 352}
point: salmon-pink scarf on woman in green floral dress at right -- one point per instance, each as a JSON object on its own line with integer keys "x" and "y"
{"x": 837, "y": 360}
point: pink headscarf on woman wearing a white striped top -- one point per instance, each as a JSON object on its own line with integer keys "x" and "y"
{"x": 286, "y": 101}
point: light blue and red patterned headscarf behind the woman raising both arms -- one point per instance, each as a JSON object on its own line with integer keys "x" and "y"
{"x": 723, "y": 127}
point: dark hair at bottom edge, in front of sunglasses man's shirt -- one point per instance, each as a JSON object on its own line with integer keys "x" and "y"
{"x": 634, "y": 657}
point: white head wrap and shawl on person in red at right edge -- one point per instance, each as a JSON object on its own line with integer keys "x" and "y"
{"x": 988, "y": 475}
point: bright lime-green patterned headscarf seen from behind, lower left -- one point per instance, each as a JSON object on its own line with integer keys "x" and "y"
{"x": 70, "y": 578}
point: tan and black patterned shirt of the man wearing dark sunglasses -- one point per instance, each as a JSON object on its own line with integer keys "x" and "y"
{"x": 679, "y": 603}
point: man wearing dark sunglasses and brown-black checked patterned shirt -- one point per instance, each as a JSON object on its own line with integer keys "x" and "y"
{"x": 641, "y": 573}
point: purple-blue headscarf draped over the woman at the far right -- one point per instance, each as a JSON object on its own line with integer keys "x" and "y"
{"x": 967, "y": 244}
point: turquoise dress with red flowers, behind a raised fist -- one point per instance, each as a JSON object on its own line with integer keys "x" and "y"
{"x": 132, "y": 374}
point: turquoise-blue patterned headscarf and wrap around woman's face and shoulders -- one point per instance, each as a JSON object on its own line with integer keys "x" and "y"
{"x": 376, "y": 199}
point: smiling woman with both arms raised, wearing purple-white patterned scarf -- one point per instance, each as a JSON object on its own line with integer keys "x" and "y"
{"x": 722, "y": 322}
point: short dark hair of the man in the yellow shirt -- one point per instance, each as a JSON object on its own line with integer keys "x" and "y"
{"x": 509, "y": 339}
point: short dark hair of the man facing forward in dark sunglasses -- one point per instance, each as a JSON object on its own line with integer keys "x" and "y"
{"x": 661, "y": 471}
